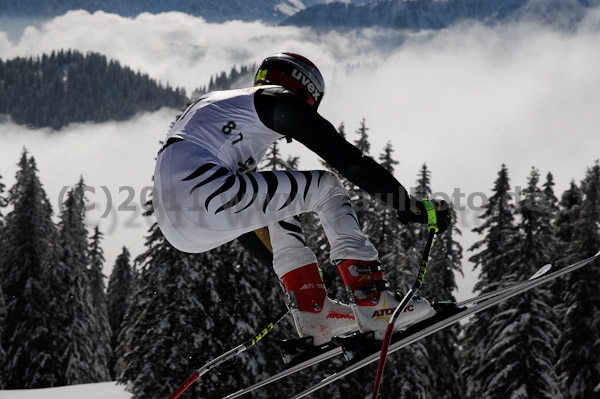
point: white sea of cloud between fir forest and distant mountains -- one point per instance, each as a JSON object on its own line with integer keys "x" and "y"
{"x": 463, "y": 100}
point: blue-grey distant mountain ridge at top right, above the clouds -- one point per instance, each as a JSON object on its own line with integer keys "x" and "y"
{"x": 435, "y": 14}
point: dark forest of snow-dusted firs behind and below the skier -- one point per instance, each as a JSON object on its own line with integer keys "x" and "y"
{"x": 164, "y": 313}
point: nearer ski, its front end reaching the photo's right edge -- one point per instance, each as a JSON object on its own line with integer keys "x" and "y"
{"x": 417, "y": 332}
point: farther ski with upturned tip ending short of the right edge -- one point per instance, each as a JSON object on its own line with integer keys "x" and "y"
{"x": 336, "y": 350}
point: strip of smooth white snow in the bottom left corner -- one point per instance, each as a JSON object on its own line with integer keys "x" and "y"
{"x": 101, "y": 390}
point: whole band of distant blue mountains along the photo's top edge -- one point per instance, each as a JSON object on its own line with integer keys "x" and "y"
{"x": 325, "y": 14}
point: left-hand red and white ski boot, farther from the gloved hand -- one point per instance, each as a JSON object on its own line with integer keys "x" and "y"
{"x": 316, "y": 316}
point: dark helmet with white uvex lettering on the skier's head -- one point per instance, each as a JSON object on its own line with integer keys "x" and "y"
{"x": 295, "y": 73}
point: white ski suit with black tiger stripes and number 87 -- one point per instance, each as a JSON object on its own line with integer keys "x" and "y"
{"x": 206, "y": 193}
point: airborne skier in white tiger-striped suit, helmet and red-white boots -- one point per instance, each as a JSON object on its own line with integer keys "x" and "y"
{"x": 207, "y": 193}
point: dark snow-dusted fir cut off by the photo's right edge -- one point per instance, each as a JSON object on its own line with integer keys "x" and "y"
{"x": 579, "y": 363}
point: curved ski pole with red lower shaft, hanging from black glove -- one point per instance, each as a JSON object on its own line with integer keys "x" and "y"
{"x": 387, "y": 339}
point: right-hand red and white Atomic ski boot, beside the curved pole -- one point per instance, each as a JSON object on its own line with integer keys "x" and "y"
{"x": 373, "y": 304}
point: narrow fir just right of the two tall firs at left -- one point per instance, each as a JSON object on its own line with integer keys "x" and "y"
{"x": 102, "y": 336}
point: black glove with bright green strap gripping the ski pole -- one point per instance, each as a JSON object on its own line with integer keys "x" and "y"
{"x": 439, "y": 219}
